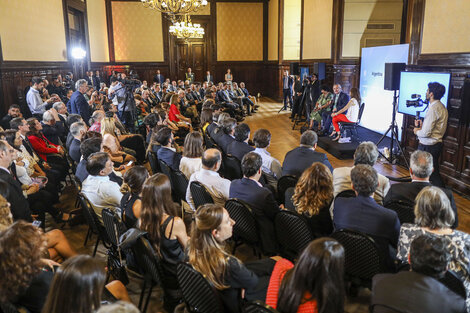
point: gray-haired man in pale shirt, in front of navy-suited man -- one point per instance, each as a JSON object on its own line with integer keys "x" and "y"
{"x": 366, "y": 153}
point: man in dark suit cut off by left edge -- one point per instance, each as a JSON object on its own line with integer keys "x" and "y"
{"x": 19, "y": 204}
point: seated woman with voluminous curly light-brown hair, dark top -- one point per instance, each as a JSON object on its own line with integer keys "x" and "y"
{"x": 312, "y": 198}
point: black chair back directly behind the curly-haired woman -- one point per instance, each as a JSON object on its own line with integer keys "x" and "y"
{"x": 292, "y": 233}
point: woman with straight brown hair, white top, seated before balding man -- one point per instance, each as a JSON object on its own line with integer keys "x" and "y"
{"x": 192, "y": 154}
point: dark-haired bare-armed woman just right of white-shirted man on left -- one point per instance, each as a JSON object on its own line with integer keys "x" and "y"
{"x": 131, "y": 204}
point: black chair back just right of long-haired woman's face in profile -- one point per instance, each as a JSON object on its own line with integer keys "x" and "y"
{"x": 245, "y": 229}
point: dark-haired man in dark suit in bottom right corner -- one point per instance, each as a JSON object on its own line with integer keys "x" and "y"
{"x": 418, "y": 290}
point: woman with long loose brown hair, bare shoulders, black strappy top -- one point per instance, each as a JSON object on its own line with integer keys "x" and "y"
{"x": 165, "y": 230}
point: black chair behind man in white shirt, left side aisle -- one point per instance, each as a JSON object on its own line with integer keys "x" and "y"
{"x": 95, "y": 226}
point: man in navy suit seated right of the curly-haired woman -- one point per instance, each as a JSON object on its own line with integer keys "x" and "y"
{"x": 363, "y": 214}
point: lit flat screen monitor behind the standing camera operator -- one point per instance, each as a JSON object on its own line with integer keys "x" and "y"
{"x": 413, "y": 86}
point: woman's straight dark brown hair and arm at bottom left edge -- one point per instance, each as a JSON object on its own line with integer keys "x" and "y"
{"x": 79, "y": 287}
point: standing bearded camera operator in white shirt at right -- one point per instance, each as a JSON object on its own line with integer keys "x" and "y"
{"x": 432, "y": 129}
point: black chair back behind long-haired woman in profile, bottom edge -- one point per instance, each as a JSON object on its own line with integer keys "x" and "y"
{"x": 198, "y": 294}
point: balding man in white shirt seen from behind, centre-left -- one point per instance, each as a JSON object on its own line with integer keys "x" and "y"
{"x": 217, "y": 186}
